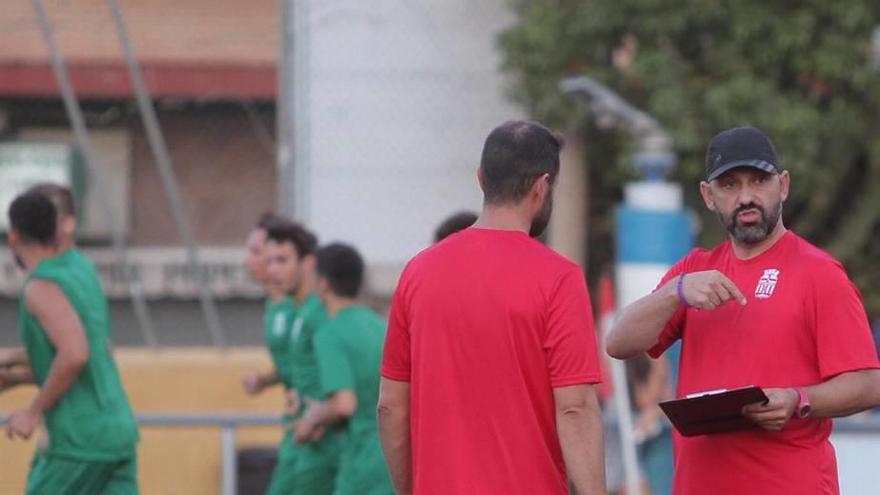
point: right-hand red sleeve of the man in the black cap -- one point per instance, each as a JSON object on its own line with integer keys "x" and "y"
{"x": 843, "y": 335}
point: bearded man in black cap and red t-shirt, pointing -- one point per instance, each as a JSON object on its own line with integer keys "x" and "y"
{"x": 764, "y": 308}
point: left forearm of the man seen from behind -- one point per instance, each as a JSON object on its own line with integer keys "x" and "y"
{"x": 395, "y": 435}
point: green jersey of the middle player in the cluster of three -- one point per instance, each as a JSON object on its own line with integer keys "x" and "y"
{"x": 310, "y": 315}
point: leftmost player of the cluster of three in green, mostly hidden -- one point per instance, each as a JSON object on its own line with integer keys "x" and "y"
{"x": 277, "y": 320}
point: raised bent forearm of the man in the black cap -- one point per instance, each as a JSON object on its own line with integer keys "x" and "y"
{"x": 638, "y": 326}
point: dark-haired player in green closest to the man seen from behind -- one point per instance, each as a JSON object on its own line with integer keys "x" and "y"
{"x": 349, "y": 353}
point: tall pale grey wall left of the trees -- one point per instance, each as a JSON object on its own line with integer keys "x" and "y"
{"x": 399, "y": 97}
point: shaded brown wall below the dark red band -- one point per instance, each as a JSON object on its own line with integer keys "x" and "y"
{"x": 225, "y": 170}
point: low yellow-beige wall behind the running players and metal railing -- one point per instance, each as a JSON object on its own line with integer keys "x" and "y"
{"x": 170, "y": 460}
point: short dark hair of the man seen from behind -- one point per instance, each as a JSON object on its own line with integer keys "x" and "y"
{"x": 515, "y": 155}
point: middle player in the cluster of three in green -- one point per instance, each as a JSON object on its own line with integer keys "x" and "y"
{"x": 291, "y": 265}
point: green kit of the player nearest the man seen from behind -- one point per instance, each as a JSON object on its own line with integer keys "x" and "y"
{"x": 349, "y": 350}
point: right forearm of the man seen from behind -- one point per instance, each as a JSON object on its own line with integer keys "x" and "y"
{"x": 581, "y": 438}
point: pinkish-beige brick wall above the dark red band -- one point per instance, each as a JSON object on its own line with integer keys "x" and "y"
{"x": 186, "y": 32}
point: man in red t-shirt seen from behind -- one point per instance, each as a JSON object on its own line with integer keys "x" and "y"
{"x": 490, "y": 354}
